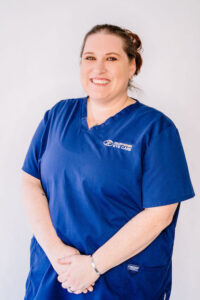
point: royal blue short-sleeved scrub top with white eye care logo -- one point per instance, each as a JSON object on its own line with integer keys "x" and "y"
{"x": 95, "y": 181}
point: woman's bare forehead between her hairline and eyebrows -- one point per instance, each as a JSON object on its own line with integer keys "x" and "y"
{"x": 104, "y": 43}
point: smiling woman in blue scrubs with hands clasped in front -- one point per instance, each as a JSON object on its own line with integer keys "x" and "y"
{"x": 103, "y": 179}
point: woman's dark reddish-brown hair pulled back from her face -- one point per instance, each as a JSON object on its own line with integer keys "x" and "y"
{"x": 132, "y": 45}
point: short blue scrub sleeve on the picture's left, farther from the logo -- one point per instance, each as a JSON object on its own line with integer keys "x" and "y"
{"x": 36, "y": 148}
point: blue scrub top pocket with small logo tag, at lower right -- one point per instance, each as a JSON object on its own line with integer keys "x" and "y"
{"x": 146, "y": 282}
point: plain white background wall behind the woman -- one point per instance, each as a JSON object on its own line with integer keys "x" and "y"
{"x": 39, "y": 53}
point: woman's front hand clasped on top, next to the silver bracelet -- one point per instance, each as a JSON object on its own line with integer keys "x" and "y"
{"x": 80, "y": 273}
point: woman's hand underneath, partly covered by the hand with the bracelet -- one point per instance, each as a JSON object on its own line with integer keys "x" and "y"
{"x": 60, "y": 251}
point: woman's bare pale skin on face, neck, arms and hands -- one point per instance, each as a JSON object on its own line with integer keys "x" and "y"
{"x": 74, "y": 269}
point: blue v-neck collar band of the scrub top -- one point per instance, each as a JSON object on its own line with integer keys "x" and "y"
{"x": 108, "y": 121}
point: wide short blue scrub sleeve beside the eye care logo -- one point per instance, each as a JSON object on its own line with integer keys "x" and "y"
{"x": 166, "y": 177}
